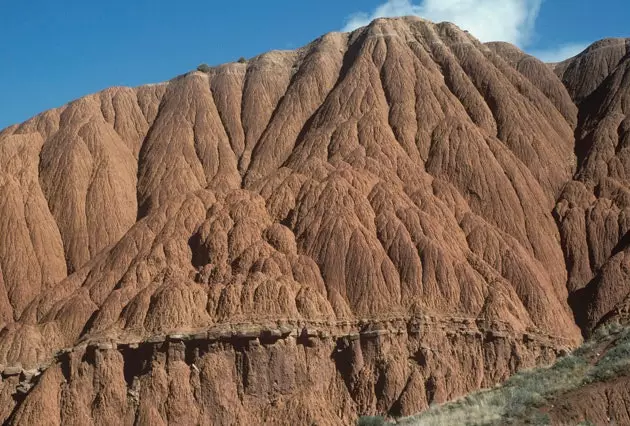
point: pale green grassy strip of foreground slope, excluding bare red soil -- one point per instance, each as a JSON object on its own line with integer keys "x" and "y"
{"x": 605, "y": 356}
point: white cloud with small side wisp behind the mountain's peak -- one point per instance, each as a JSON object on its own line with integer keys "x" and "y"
{"x": 488, "y": 20}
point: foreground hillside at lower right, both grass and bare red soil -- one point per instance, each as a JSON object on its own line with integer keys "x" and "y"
{"x": 587, "y": 387}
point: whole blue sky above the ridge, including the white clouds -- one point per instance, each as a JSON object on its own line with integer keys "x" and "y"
{"x": 56, "y": 51}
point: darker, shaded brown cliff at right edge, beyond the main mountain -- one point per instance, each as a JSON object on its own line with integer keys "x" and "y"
{"x": 594, "y": 209}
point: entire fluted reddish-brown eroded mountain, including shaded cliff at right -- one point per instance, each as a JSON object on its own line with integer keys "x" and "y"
{"x": 377, "y": 221}
